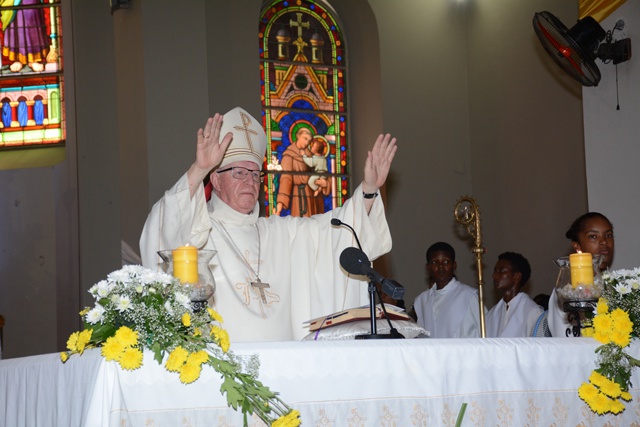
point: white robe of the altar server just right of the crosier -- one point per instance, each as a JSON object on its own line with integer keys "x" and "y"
{"x": 518, "y": 320}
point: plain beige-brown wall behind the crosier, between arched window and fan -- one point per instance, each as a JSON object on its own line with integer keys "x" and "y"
{"x": 476, "y": 104}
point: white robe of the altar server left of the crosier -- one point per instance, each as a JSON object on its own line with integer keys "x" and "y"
{"x": 450, "y": 312}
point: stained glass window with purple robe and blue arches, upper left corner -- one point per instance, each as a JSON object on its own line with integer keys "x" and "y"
{"x": 31, "y": 83}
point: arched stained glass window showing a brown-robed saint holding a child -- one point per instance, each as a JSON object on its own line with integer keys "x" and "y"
{"x": 304, "y": 107}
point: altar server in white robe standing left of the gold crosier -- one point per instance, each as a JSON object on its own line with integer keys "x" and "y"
{"x": 449, "y": 309}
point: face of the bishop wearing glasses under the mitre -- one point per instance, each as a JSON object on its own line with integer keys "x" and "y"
{"x": 240, "y": 194}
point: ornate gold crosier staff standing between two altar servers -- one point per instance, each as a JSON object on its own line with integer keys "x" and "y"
{"x": 467, "y": 214}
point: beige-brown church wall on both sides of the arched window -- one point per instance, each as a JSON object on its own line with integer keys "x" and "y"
{"x": 463, "y": 86}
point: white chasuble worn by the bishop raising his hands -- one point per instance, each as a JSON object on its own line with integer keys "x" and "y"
{"x": 297, "y": 257}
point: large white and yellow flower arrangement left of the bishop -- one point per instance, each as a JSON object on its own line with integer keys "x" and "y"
{"x": 136, "y": 309}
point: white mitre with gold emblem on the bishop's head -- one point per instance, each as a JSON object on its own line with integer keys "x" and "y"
{"x": 249, "y": 140}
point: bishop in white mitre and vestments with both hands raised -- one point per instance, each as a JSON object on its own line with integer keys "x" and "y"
{"x": 272, "y": 274}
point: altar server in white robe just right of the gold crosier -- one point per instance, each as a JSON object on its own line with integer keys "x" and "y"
{"x": 515, "y": 315}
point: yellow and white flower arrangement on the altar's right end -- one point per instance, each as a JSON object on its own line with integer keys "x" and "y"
{"x": 615, "y": 324}
